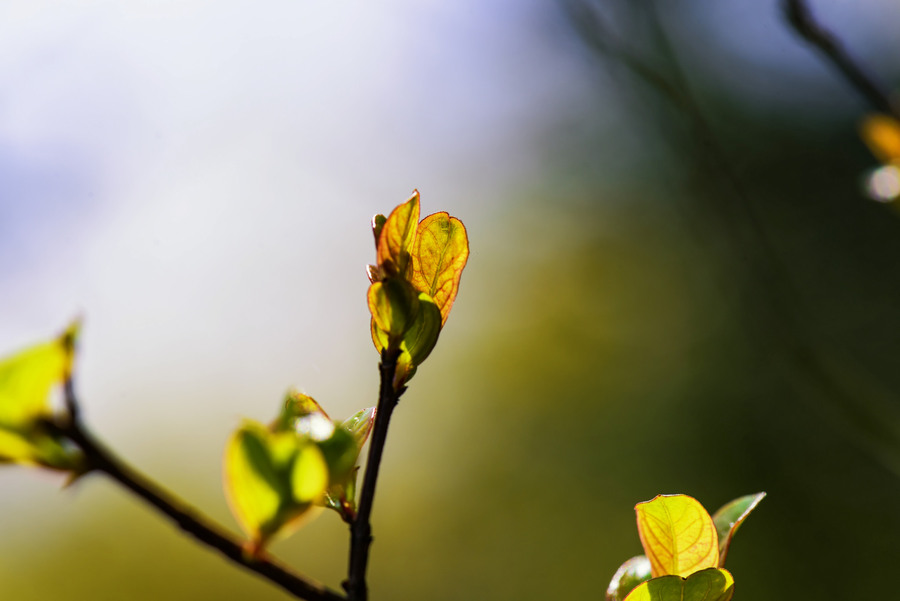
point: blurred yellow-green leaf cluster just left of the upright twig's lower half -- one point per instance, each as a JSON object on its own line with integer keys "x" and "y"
{"x": 275, "y": 475}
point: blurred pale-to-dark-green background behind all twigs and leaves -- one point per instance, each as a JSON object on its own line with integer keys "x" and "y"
{"x": 677, "y": 282}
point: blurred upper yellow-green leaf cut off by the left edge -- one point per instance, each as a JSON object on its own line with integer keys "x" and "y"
{"x": 27, "y": 378}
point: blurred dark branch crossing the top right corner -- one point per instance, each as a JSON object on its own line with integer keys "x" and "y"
{"x": 804, "y": 23}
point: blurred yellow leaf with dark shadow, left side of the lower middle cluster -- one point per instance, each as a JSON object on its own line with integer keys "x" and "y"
{"x": 272, "y": 479}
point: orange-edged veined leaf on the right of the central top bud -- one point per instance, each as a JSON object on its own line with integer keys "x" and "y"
{"x": 440, "y": 253}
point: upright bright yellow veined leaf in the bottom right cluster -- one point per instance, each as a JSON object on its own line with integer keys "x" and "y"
{"x": 678, "y": 535}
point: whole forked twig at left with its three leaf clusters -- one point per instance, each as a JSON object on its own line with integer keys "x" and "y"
{"x": 276, "y": 475}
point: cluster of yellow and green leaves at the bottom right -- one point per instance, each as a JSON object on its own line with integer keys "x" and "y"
{"x": 685, "y": 550}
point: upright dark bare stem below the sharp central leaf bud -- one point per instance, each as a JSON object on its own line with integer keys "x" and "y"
{"x": 361, "y": 528}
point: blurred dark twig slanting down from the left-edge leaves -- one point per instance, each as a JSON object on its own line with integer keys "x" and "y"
{"x": 99, "y": 459}
